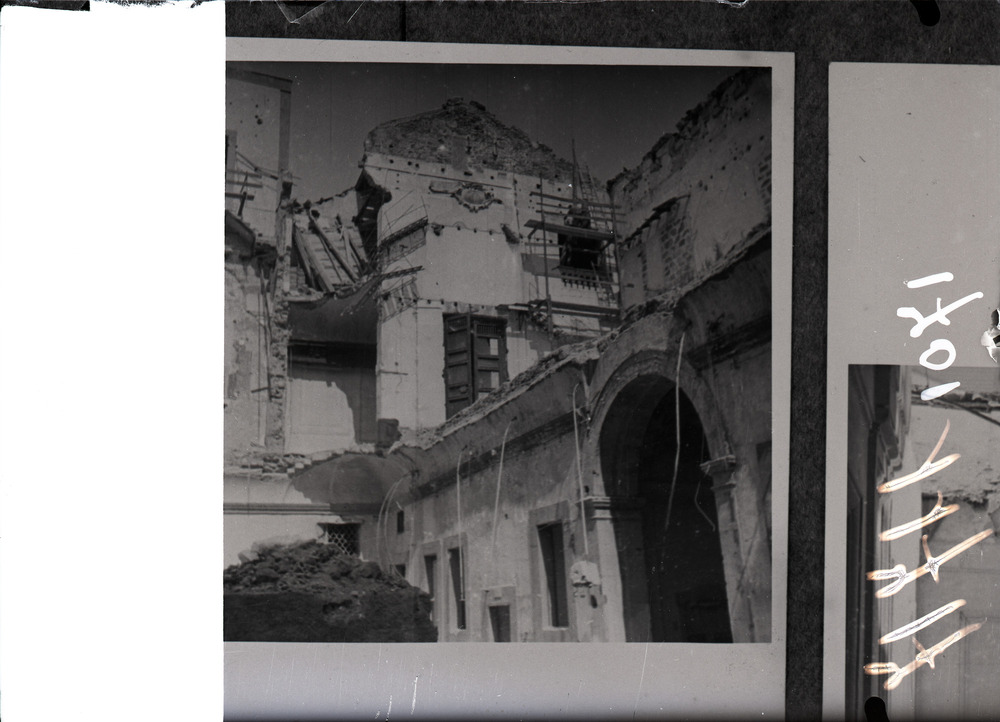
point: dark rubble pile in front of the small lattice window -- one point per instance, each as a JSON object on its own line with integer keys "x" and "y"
{"x": 312, "y": 592}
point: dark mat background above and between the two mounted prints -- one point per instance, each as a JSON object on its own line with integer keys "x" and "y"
{"x": 818, "y": 32}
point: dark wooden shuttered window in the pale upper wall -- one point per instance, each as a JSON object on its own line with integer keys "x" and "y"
{"x": 475, "y": 358}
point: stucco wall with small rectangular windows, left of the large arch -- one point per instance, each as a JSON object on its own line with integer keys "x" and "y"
{"x": 532, "y": 480}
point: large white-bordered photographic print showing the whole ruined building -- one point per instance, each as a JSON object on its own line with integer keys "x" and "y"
{"x": 500, "y": 352}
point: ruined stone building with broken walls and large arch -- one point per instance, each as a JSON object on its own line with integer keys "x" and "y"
{"x": 544, "y": 400}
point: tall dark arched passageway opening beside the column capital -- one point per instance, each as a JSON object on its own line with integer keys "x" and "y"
{"x": 672, "y": 578}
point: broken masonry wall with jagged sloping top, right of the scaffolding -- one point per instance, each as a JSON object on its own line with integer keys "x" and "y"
{"x": 701, "y": 192}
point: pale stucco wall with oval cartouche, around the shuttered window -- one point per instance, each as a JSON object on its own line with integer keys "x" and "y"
{"x": 467, "y": 264}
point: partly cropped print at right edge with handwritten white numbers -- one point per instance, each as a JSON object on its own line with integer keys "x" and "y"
{"x": 913, "y": 391}
